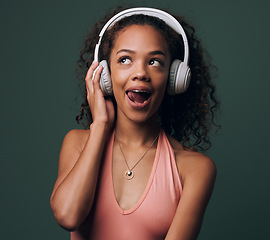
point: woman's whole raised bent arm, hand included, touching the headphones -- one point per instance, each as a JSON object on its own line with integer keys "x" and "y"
{"x": 79, "y": 160}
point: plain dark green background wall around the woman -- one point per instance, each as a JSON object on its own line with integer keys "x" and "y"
{"x": 40, "y": 42}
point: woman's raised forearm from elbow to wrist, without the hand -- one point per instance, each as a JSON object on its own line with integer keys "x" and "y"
{"x": 72, "y": 200}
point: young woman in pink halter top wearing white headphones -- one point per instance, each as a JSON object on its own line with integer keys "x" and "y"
{"x": 127, "y": 177}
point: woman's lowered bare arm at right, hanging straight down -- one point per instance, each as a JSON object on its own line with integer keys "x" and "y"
{"x": 198, "y": 177}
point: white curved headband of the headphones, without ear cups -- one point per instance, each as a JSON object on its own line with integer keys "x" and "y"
{"x": 167, "y": 18}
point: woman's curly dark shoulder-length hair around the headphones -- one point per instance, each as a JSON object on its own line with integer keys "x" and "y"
{"x": 189, "y": 116}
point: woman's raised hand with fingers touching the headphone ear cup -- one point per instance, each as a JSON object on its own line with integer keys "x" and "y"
{"x": 102, "y": 109}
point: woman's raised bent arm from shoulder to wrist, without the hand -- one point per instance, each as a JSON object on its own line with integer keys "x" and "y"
{"x": 74, "y": 190}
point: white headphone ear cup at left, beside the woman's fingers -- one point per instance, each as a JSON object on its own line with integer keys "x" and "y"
{"x": 105, "y": 79}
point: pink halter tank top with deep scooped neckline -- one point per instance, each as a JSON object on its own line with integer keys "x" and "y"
{"x": 151, "y": 217}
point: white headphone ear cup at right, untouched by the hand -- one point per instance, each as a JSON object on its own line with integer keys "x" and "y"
{"x": 179, "y": 77}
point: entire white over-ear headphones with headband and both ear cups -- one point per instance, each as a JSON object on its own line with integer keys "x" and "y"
{"x": 179, "y": 77}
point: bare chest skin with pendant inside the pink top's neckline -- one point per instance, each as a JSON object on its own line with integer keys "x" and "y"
{"x": 129, "y": 190}
